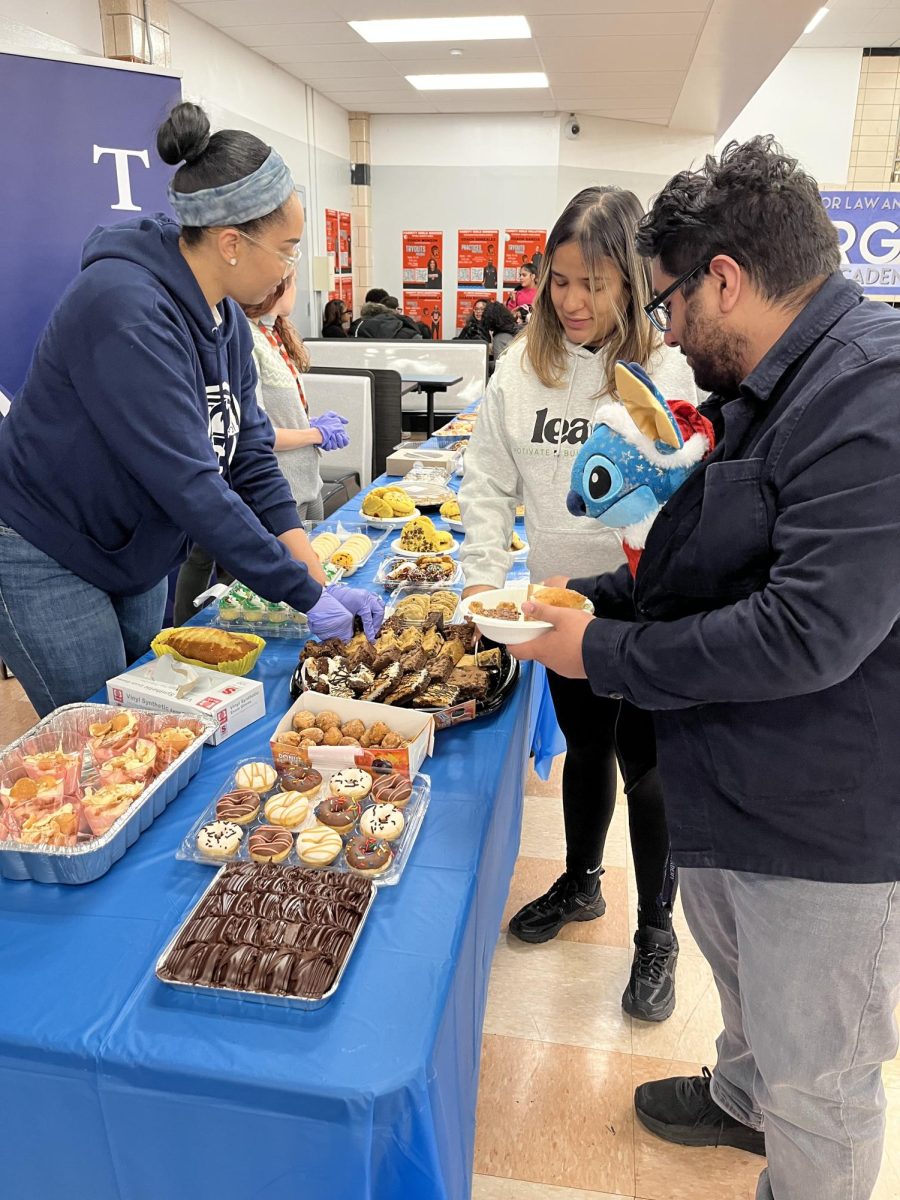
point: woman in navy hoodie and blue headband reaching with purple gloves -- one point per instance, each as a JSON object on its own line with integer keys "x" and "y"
{"x": 137, "y": 429}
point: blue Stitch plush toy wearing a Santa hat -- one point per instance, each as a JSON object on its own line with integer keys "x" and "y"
{"x": 641, "y": 451}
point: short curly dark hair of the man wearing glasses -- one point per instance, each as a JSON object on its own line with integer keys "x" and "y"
{"x": 755, "y": 205}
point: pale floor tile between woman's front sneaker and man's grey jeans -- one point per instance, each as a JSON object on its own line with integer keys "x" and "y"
{"x": 691, "y": 1033}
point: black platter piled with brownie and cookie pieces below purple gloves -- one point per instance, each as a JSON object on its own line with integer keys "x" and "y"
{"x": 435, "y": 668}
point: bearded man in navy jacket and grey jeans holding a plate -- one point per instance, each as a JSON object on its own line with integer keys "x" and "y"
{"x": 763, "y": 632}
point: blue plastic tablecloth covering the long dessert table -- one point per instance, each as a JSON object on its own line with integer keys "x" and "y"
{"x": 117, "y": 1088}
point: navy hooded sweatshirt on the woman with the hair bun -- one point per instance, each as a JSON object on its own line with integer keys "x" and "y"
{"x": 137, "y": 425}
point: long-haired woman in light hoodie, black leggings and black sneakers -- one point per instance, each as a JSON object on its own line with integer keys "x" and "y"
{"x": 537, "y": 413}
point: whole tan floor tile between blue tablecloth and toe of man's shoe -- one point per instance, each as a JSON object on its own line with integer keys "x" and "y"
{"x": 551, "y": 1114}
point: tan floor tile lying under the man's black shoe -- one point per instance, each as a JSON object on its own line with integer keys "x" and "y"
{"x": 664, "y": 1172}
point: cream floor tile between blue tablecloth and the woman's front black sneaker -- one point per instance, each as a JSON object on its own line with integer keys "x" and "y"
{"x": 560, "y": 992}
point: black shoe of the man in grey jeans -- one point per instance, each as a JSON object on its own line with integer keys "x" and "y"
{"x": 682, "y": 1111}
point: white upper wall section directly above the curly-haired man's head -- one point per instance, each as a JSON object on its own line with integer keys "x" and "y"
{"x": 808, "y": 103}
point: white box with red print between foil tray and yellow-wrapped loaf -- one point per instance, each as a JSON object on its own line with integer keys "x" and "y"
{"x": 169, "y": 687}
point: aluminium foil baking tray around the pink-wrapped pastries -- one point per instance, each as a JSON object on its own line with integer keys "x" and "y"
{"x": 88, "y": 861}
